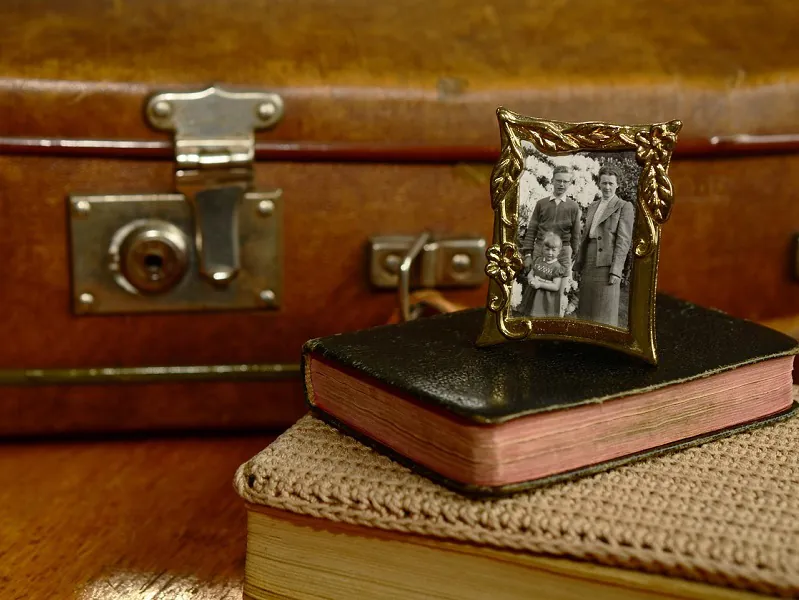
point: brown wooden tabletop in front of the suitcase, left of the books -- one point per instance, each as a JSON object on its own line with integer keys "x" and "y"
{"x": 135, "y": 519}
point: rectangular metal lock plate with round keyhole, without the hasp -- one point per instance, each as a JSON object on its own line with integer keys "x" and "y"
{"x": 135, "y": 254}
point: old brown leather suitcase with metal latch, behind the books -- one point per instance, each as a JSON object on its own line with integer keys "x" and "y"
{"x": 370, "y": 120}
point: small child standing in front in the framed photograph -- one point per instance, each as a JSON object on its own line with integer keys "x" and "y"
{"x": 541, "y": 298}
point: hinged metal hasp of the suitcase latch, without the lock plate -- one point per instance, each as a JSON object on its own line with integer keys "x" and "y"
{"x": 214, "y": 152}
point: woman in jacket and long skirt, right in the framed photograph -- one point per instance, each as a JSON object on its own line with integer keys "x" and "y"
{"x": 604, "y": 244}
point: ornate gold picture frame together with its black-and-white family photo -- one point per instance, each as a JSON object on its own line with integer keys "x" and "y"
{"x": 578, "y": 209}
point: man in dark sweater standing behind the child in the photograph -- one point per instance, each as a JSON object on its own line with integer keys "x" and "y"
{"x": 557, "y": 214}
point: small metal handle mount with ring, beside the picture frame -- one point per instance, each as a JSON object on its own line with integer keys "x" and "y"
{"x": 425, "y": 261}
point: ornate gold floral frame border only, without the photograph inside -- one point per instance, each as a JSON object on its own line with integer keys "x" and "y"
{"x": 653, "y": 145}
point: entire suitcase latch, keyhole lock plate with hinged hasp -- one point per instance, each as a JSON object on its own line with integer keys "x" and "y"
{"x": 216, "y": 244}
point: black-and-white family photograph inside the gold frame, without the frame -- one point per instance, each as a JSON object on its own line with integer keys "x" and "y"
{"x": 576, "y": 216}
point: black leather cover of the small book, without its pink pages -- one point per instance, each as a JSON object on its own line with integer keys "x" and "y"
{"x": 435, "y": 362}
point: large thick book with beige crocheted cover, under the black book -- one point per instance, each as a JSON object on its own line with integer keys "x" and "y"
{"x": 330, "y": 518}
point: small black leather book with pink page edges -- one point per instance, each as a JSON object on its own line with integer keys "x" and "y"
{"x": 521, "y": 414}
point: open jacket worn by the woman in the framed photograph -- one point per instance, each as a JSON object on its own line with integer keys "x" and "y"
{"x": 613, "y": 235}
